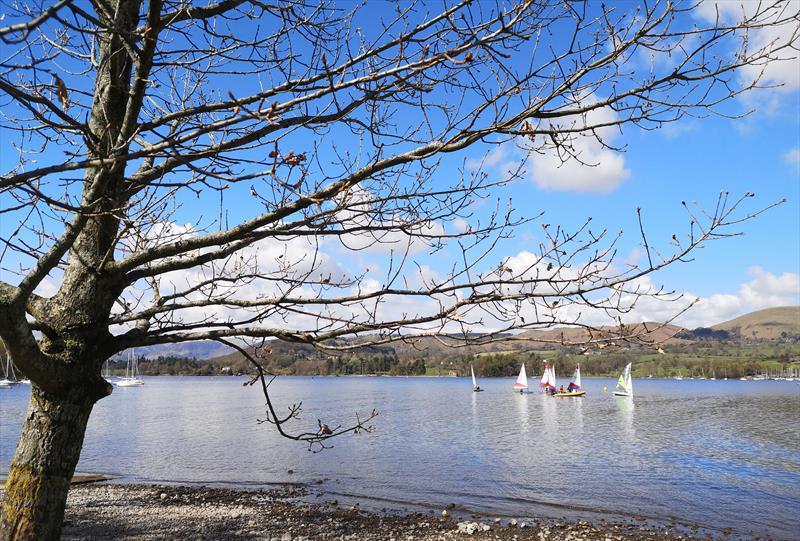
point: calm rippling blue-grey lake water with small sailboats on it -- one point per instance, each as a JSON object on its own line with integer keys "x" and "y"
{"x": 709, "y": 453}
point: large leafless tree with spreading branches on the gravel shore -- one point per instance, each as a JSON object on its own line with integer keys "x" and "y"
{"x": 305, "y": 125}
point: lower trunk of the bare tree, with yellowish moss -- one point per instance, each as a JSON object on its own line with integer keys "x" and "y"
{"x": 46, "y": 456}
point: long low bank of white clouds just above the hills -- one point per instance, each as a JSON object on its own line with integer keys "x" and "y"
{"x": 300, "y": 257}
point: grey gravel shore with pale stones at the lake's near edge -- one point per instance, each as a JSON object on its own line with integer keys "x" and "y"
{"x": 137, "y": 512}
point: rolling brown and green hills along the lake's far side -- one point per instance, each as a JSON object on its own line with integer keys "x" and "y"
{"x": 773, "y": 324}
